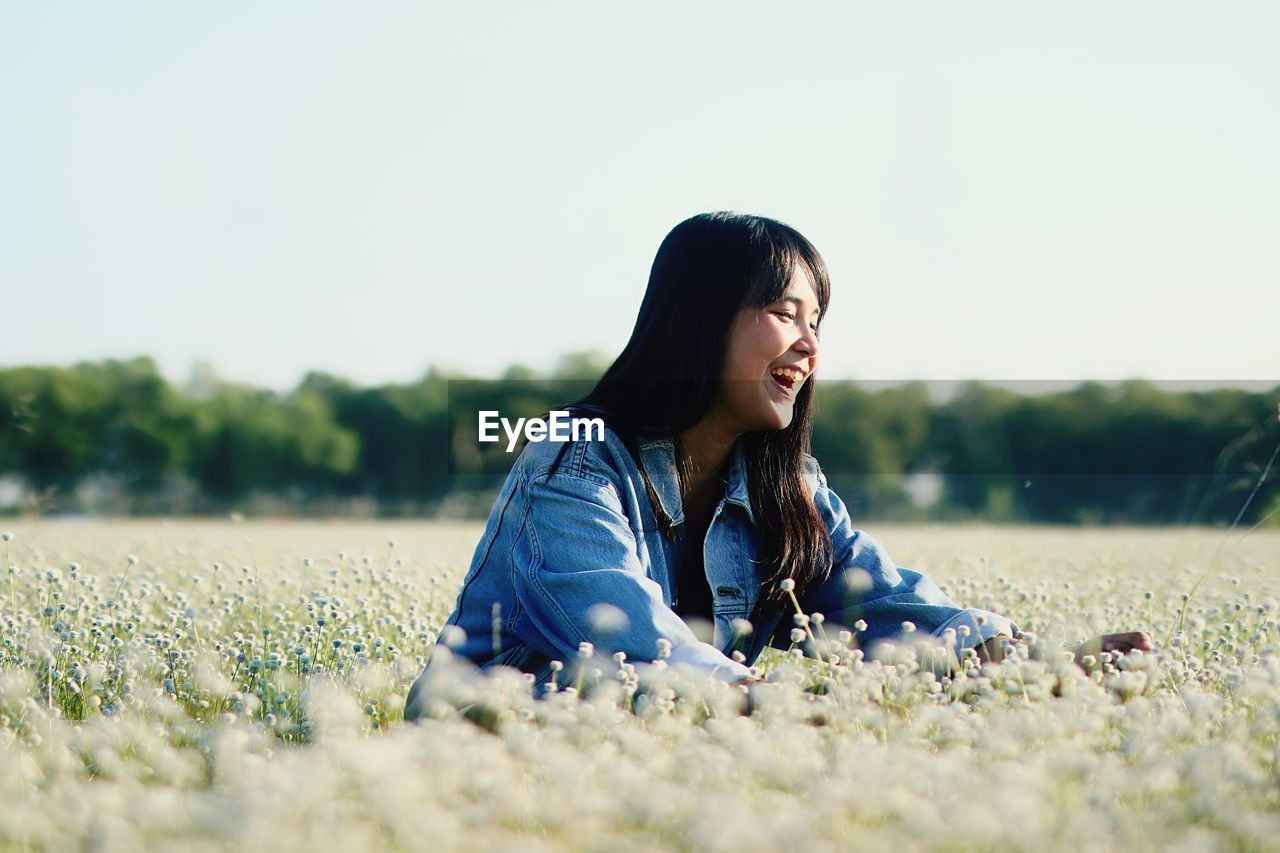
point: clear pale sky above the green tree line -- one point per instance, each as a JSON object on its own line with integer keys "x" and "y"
{"x": 1000, "y": 190}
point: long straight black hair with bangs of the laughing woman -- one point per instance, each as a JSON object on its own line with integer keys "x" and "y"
{"x": 710, "y": 268}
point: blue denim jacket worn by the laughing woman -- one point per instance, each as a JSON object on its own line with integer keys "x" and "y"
{"x": 577, "y": 556}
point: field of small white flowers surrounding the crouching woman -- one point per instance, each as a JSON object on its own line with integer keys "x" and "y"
{"x": 203, "y": 686}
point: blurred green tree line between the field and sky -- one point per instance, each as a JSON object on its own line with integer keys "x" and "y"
{"x": 117, "y": 437}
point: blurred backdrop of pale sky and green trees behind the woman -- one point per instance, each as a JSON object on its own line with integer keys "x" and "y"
{"x": 268, "y": 261}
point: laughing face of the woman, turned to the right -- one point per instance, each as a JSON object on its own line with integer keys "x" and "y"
{"x": 772, "y": 353}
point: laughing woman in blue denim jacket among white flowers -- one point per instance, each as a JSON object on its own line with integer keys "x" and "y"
{"x": 687, "y": 531}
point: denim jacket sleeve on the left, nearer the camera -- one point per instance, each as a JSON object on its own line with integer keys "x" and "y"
{"x": 579, "y": 580}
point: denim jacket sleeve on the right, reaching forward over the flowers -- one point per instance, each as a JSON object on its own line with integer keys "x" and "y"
{"x": 866, "y": 585}
